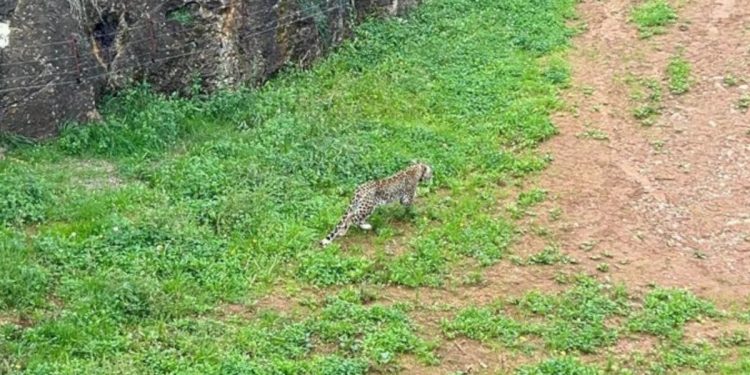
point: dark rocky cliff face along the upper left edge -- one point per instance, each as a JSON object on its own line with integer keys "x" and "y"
{"x": 58, "y": 57}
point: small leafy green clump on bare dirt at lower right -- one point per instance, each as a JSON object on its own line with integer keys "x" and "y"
{"x": 665, "y": 312}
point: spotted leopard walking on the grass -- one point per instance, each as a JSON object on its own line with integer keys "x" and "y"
{"x": 401, "y": 187}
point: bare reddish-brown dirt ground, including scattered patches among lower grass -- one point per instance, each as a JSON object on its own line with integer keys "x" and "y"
{"x": 677, "y": 215}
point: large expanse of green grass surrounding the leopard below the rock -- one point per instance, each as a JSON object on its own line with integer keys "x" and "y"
{"x": 121, "y": 240}
